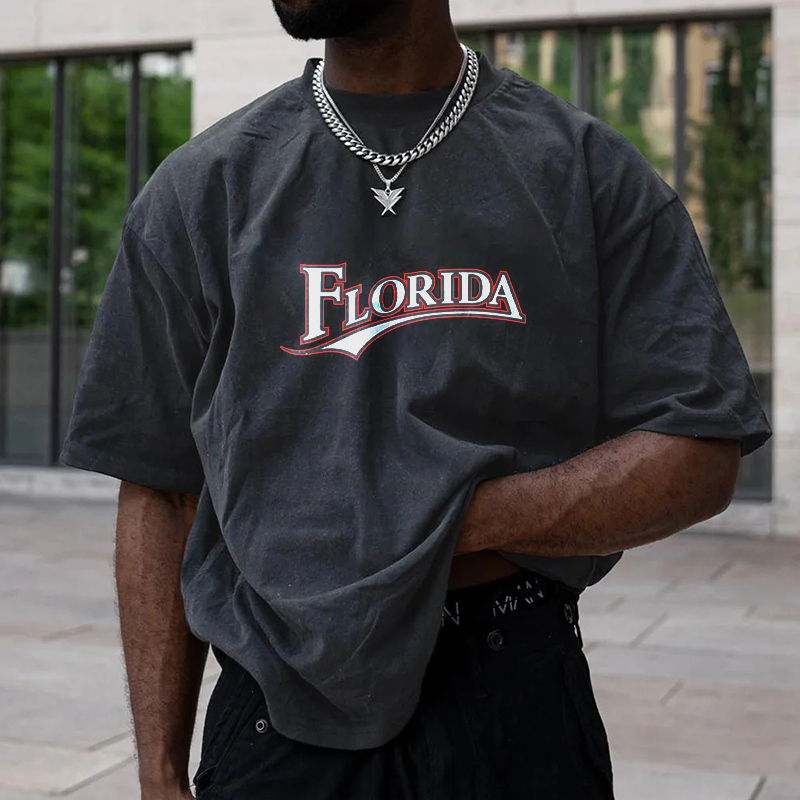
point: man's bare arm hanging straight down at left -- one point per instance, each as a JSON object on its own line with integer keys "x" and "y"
{"x": 163, "y": 660}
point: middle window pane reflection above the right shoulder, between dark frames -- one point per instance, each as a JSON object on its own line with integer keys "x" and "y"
{"x": 633, "y": 80}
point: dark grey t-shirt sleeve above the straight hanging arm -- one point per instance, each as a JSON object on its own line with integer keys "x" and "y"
{"x": 132, "y": 413}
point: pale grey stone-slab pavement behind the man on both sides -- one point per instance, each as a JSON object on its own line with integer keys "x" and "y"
{"x": 694, "y": 644}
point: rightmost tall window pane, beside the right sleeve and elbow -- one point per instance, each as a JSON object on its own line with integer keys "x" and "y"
{"x": 729, "y": 191}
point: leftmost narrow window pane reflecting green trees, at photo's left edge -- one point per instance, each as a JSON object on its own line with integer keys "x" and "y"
{"x": 26, "y": 93}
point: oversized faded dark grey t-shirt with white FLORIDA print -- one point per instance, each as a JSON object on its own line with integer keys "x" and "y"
{"x": 333, "y": 381}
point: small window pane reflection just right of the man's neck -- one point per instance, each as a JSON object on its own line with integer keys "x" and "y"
{"x": 545, "y": 57}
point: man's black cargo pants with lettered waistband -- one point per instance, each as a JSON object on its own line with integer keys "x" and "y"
{"x": 507, "y": 713}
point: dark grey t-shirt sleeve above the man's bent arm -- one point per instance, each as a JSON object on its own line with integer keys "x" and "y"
{"x": 671, "y": 361}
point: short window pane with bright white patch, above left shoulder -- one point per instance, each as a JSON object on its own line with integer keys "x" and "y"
{"x": 166, "y": 115}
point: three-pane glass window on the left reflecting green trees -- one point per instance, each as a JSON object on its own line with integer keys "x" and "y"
{"x": 97, "y": 168}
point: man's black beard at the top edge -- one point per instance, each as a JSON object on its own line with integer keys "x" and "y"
{"x": 328, "y": 19}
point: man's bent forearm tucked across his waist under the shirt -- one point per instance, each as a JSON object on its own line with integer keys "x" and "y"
{"x": 624, "y": 493}
